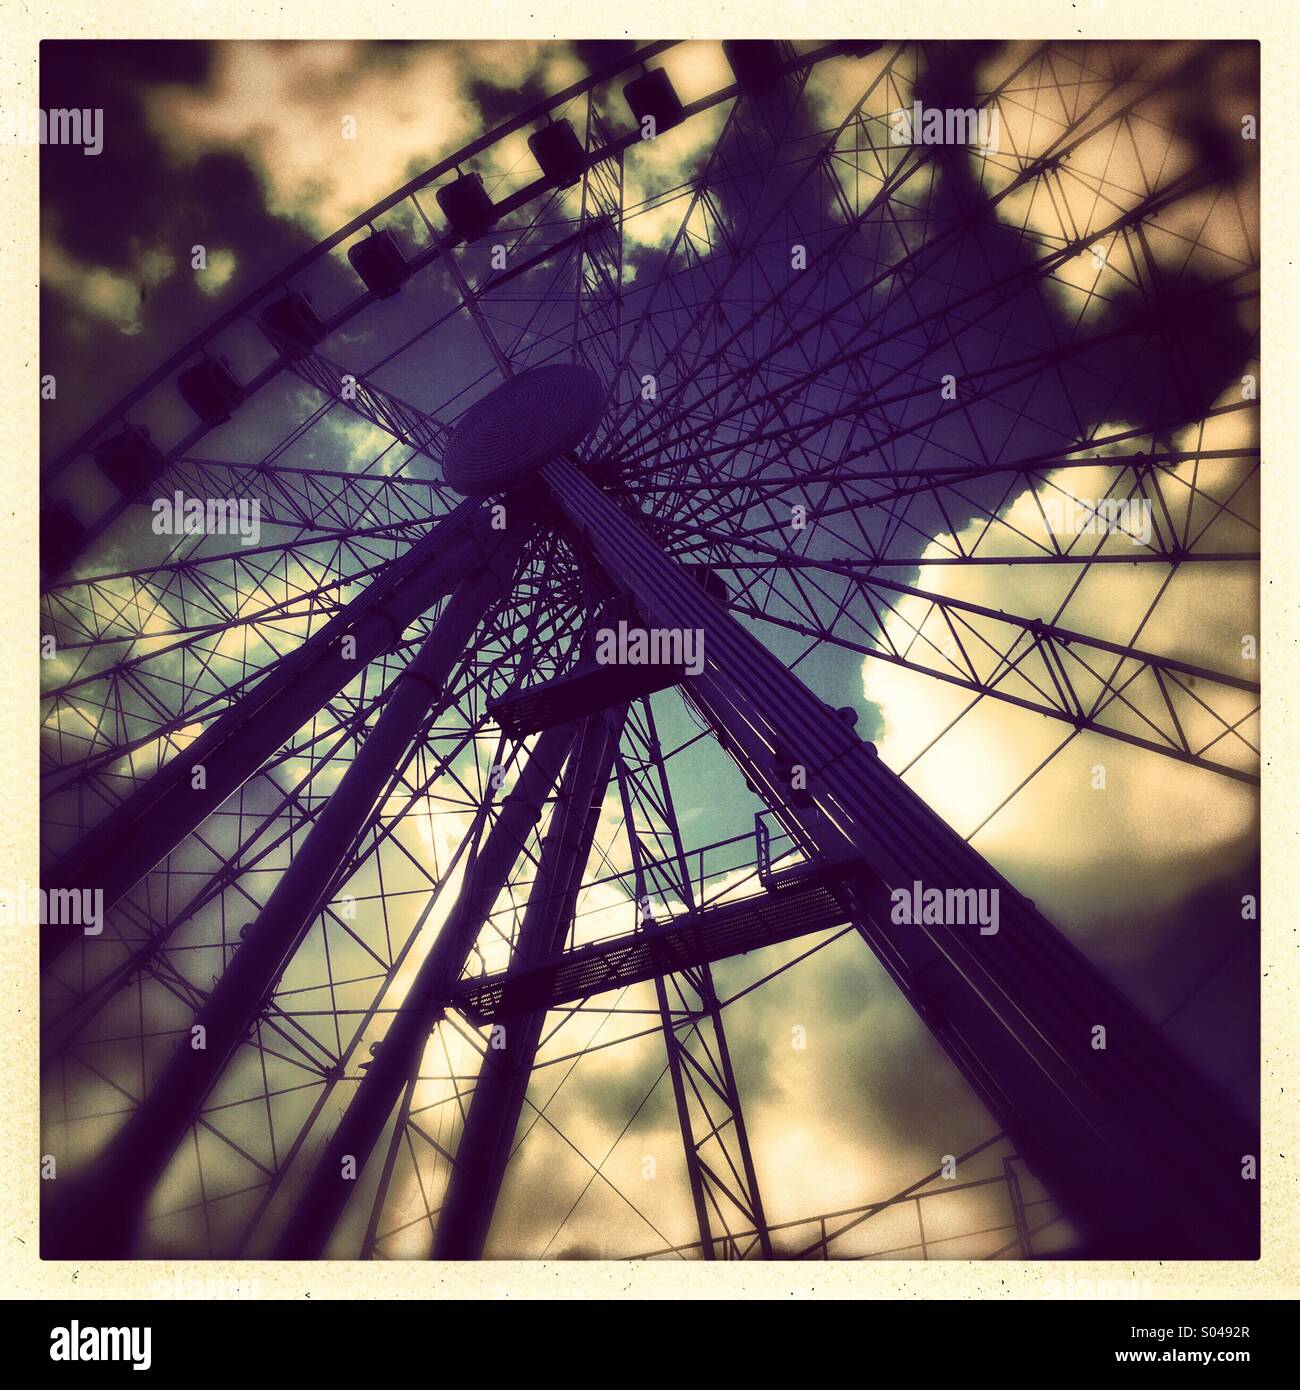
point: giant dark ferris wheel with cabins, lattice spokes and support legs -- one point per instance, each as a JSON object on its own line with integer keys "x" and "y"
{"x": 457, "y": 815}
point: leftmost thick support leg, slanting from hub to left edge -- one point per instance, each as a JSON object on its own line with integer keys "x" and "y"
{"x": 140, "y": 833}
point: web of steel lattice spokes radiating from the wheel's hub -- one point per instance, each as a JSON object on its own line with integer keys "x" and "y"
{"x": 777, "y": 293}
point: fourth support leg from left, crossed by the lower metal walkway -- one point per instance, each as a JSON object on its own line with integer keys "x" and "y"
{"x": 498, "y": 1099}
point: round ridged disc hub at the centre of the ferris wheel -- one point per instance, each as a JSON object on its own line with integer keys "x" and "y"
{"x": 526, "y": 422}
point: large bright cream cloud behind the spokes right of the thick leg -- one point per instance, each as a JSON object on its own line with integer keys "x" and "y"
{"x": 1159, "y": 829}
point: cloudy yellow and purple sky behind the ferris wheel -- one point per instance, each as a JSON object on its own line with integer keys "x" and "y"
{"x": 248, "y": 151}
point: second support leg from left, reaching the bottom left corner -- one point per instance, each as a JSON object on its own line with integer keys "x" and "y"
{"x": 99, "y": 1216}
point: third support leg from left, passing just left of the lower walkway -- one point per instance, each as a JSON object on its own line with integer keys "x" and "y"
{"x": 327, "y": 1192}
